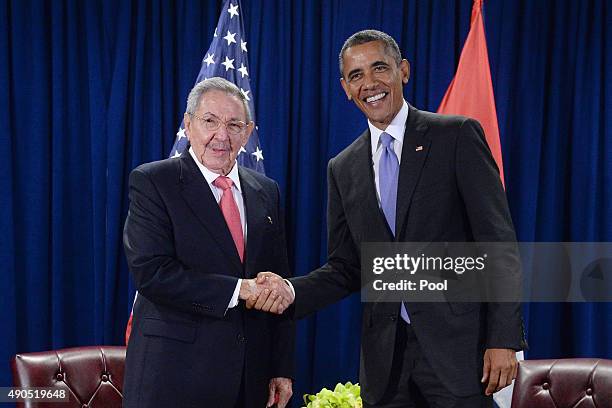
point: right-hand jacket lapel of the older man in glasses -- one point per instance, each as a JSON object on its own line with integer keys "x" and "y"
{"x": 256, "y": 216}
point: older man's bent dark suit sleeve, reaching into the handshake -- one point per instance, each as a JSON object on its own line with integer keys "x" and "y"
{"x": 158, "y": 274}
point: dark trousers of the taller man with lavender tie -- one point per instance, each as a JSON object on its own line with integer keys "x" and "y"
{"x": 414, "y": 384}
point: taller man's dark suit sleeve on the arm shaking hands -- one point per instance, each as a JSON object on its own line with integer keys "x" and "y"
{"x": 341, "y": 275}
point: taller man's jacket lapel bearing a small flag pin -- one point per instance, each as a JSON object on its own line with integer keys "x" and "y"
{"x": 414, "y": 154}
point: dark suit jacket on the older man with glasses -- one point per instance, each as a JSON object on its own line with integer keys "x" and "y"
{"x": 185, "y": 350}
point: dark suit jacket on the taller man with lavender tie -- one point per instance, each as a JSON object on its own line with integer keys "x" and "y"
{"x": 448, "y": 191}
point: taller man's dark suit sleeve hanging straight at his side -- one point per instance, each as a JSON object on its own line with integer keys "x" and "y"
{"x": 489, "y": 216}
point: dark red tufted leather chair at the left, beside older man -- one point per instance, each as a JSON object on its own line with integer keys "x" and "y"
{"x": 92, "y": 376}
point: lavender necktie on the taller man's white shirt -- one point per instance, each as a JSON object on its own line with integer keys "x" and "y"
{"x": 388, "y": 172}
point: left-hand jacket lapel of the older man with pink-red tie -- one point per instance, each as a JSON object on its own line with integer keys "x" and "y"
{"x": 200, "y": 199}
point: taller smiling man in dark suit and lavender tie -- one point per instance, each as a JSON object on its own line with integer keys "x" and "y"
{"x": 413, "y": 176}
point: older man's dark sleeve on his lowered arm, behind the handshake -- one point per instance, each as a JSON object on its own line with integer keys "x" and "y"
{"x": 284, "y": 336}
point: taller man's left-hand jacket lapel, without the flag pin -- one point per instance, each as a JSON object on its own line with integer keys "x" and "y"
{"x": 364, "y": 188}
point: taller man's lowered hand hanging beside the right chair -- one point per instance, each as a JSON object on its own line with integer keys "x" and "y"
{"x": 500, "y": 368}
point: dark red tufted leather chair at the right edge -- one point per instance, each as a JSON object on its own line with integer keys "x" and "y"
{"x": 564, "y": 383}
